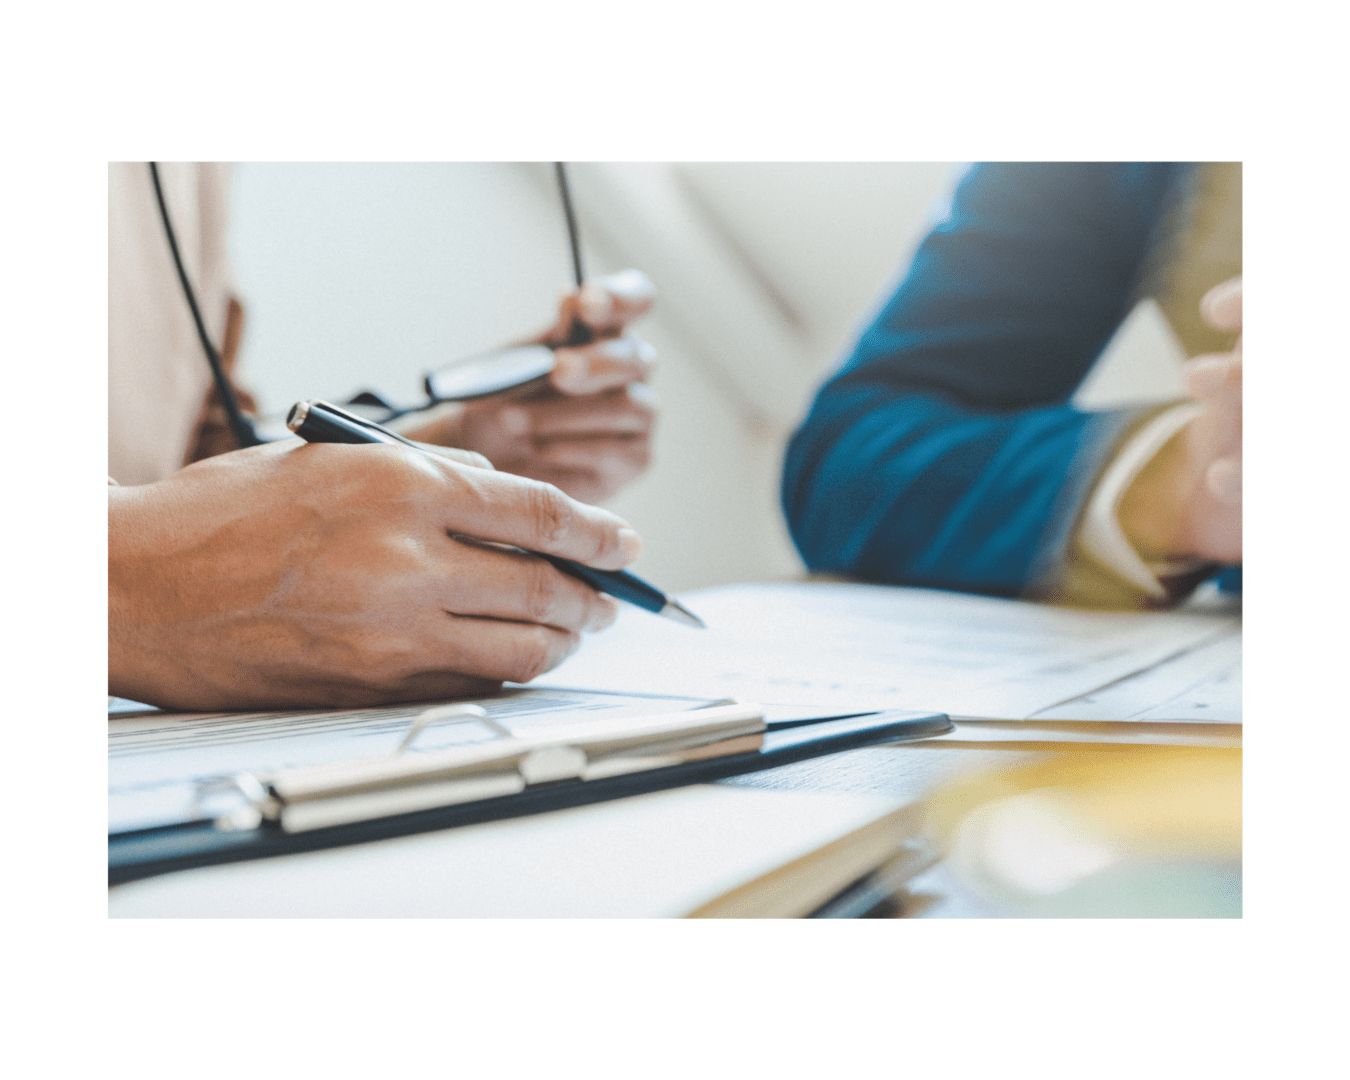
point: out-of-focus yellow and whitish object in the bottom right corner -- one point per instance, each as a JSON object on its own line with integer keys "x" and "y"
{"x": 1139, "y": 832}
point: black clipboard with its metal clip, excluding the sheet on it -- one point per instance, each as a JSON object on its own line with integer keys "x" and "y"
{"x": 503, "y": 780}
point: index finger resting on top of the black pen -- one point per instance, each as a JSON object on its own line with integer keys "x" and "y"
{"x": 507, "y": 510}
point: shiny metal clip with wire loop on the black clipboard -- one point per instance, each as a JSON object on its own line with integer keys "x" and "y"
{"x": 341, "y": 793}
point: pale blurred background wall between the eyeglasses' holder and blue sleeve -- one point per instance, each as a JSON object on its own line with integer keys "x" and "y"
{"x": 365, "y": 276}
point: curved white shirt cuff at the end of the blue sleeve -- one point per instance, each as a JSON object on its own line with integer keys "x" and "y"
{"x": 1102, "y": 534}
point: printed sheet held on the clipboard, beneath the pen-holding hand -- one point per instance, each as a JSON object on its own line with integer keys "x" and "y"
{"x": 161, "y": 765}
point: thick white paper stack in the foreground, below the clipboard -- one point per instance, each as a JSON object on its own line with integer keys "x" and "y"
{"x": 704, "y": 851}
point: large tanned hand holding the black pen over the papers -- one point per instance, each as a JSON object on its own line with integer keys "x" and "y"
{"x": 302, "y": 574}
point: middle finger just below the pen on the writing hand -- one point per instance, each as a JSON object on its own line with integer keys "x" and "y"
{"x": 491, "y": 583}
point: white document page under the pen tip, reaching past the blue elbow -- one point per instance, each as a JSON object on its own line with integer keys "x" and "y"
{"x": 881, "y": 647}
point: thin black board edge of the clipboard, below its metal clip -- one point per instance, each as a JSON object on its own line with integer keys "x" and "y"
{"x": 149, "y": 853}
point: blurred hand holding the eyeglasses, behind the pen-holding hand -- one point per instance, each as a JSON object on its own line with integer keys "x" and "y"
{"x": 588, "y": 431}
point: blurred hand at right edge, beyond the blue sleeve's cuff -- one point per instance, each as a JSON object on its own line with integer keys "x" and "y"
{"x": 1187, "y": 503}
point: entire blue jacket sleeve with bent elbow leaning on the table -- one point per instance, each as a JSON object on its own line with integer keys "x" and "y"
{"x": 946, "y": 453}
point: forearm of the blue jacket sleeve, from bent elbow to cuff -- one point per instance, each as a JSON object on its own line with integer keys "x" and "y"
{"x": 916, "y": 489}
